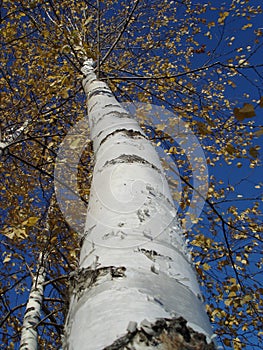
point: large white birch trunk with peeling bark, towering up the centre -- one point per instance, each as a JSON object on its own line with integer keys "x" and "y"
{"x": 136, "y": 287}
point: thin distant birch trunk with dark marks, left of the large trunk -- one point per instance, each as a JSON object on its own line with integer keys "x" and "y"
{"x": 29, "y": 335}
